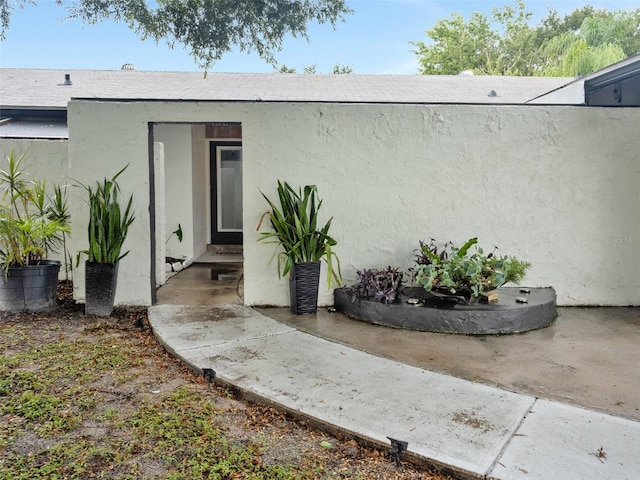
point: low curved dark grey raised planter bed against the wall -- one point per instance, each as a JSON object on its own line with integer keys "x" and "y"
{"x": 506, "y": 316}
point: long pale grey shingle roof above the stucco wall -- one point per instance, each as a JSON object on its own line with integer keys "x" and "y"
{"x": 40, "y": 88}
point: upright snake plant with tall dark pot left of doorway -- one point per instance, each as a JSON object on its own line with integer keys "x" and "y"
{"x": 107, "y": 231}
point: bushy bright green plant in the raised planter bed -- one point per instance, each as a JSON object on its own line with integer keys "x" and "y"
{"x": 463, "y": 274}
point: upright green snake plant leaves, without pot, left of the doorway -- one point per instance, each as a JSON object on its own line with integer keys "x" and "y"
{"x": 108, "y": 224}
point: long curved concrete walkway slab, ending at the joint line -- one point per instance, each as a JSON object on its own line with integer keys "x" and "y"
{"x": 456, "y": 426}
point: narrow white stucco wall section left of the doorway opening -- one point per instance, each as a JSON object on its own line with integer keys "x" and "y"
{"x": 102, "y": 141}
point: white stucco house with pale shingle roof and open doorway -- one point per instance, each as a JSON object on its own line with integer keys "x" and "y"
{"x": 396, "y": 159}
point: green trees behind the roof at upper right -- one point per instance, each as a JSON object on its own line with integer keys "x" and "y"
{"x": 581, "y": 42}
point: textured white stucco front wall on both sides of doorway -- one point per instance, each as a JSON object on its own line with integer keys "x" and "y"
{"x": 557, "y": 186}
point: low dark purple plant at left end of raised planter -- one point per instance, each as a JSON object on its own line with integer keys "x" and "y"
{"x": 382, "y": 285}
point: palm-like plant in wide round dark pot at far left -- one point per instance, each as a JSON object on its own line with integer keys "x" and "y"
{"x": 30, "y": 227}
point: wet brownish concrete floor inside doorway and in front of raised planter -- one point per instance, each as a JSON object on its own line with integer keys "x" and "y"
{"x": 588, "y": 357}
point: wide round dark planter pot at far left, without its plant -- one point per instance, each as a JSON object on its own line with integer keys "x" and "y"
{"x": 30, "y": 288}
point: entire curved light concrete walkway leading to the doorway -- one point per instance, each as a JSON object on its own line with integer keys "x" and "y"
{"x": 477, "y": 431}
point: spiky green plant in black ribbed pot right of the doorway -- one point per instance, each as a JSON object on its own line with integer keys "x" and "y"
{"x": 303, "y": 243}
